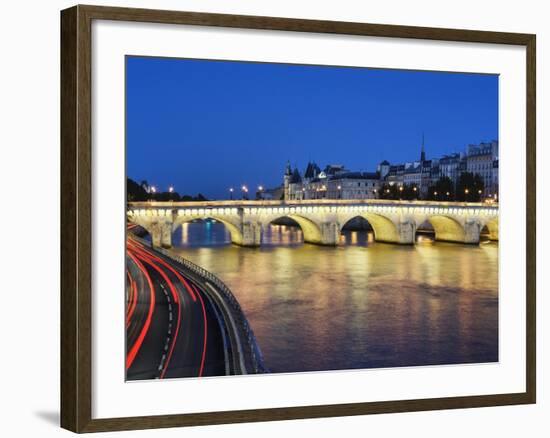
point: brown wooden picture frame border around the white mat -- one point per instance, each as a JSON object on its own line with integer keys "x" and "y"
{"x": 76, "y": 199}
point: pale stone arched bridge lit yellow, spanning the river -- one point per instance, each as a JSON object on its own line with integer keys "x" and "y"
{"x": 321, "y": 221}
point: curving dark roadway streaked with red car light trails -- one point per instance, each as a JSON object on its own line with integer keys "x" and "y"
{"x": 172, "y": 326}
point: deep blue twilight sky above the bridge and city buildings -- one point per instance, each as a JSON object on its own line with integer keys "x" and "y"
{"x": 205, "y": 126}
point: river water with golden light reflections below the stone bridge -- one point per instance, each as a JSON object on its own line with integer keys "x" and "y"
{"x": 360, "y": 304}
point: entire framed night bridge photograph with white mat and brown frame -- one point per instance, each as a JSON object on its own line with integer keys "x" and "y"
{"x": 271, "y": 218}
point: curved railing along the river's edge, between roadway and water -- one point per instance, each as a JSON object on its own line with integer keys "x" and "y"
{"x": 235, "y": 308}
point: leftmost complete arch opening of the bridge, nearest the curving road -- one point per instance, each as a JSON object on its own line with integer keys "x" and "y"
{"x": 207, "y": 231}
